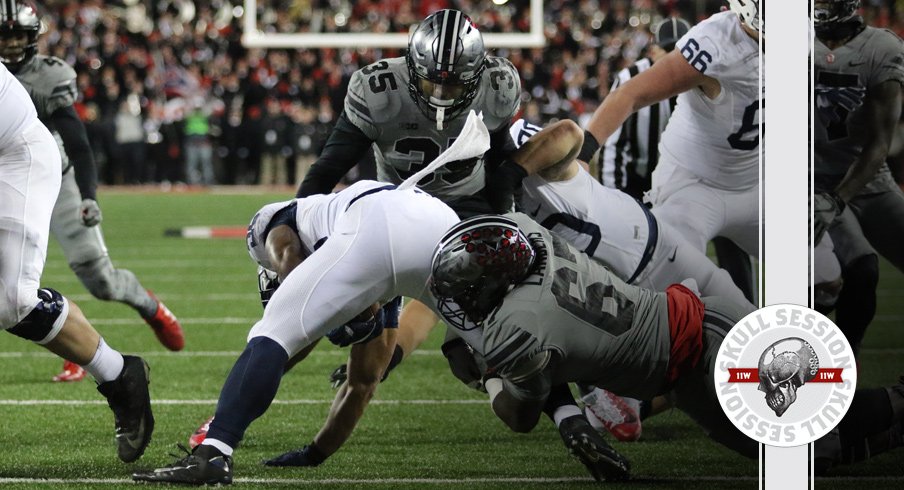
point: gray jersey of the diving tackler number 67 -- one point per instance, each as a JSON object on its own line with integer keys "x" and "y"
{"x": 603, "y": 331}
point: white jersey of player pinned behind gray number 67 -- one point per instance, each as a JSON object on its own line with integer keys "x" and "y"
{"x": 605, "y": 223}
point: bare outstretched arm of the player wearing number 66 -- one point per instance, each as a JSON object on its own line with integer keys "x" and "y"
{"x": 668, "y": 77}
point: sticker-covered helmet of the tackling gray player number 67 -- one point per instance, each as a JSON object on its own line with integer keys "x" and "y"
{"x": 476, "y": 263}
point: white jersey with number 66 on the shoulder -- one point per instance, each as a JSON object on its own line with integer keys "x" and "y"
{"x": 718, "y": 139}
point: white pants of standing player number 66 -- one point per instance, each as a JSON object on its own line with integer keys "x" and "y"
{"x": 701, "y": 212}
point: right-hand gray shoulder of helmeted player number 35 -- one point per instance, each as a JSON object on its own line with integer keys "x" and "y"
{"x": 501, "y": 92}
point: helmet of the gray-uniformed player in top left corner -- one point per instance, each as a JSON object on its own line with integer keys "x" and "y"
{"x": 18, "y": 17}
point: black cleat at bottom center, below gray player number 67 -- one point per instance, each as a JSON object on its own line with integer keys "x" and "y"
{"x": 589, "y": 447}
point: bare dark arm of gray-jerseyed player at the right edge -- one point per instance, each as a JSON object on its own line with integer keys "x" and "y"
{"x": 883, "y": 109}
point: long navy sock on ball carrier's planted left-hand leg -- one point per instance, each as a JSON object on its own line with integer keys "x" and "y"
{"x": 249, "y": 390}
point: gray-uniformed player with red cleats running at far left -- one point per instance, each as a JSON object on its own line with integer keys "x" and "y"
{"x": 76, "y": 214}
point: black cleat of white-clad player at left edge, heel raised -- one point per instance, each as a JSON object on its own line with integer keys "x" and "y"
{"x": 130, "y": 400}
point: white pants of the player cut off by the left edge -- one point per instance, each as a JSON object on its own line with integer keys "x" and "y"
{"x": 30, "y": 171}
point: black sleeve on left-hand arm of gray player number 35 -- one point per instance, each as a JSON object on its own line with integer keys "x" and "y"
{"x": 345, "y": 147}
